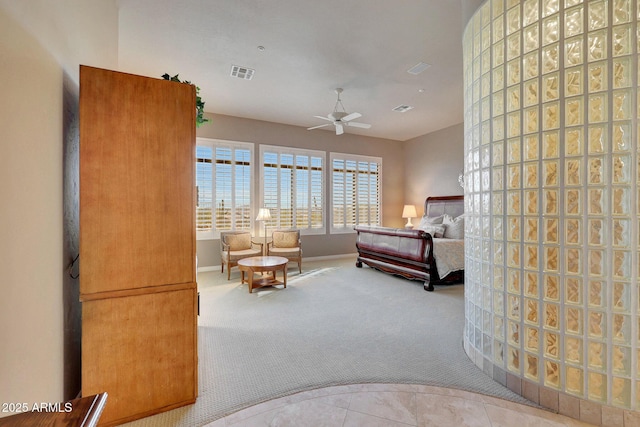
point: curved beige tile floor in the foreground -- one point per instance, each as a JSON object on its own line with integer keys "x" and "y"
{"x": 393, "y": 405}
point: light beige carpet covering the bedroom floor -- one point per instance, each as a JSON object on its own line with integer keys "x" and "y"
{"x": 334, "y": 324}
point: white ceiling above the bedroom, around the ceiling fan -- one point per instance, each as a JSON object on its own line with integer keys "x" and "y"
{"x": 311, "y": 48}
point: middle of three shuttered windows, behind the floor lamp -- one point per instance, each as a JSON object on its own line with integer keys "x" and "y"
{"x": 293, "y": 188}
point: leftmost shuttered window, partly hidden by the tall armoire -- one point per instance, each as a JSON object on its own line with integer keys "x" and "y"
{"x": 223, "y": 185}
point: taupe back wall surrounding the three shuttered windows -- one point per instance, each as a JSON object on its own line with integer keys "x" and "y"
{"x": 259, "y": 132}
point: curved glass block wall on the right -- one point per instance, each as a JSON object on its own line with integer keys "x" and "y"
{"x": 553, "y": 195}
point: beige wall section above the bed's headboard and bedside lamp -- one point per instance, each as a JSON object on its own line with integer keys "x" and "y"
{"x": 432, "y": 164}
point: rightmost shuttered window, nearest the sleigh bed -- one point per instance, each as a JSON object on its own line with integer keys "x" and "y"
{"x": 355, "y": 186}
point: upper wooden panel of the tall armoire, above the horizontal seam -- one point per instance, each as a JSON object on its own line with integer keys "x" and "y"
{"x": 137, "y": 157}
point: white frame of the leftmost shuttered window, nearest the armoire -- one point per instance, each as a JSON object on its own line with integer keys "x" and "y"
{"x": 212, "y": 143}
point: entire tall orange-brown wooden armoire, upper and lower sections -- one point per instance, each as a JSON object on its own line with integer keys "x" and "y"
{"x": 137, "y": 243}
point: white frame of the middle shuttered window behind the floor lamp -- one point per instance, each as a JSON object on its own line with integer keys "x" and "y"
{"x": 294, "y": 151}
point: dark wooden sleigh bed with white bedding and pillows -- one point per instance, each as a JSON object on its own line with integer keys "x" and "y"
{"x": 414, "y": 253}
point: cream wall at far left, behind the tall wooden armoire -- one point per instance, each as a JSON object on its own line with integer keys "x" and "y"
{"x": 42, "y": 44}
